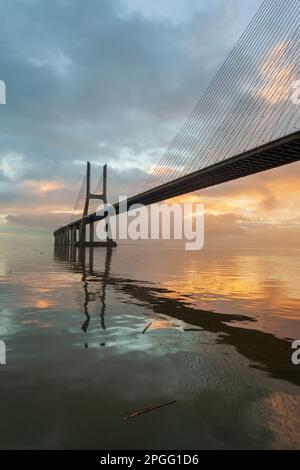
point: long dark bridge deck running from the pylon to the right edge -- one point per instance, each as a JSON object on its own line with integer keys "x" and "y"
{"x": 274, "y": 154}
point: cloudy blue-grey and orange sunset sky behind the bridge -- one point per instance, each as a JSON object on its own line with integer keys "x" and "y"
{"x": 112, "y": 81}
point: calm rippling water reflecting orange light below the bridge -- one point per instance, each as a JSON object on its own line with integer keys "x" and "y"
{"x": 219, "y": 344}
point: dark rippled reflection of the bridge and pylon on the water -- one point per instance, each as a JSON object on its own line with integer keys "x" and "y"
{"x": 264, "y": 350}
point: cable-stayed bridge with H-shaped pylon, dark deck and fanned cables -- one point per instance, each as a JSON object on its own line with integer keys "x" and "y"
{"x": 247, "y": 121}
